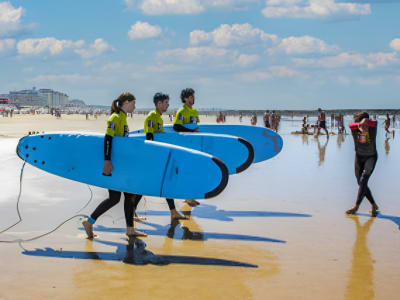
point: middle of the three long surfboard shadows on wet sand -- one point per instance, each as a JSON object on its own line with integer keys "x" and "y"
{"x": 178, "y": 232}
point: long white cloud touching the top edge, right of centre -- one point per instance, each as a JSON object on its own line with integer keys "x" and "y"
{"x": 313, "y": 9}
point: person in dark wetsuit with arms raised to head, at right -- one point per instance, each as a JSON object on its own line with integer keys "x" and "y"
{"x": 364, "y": 131}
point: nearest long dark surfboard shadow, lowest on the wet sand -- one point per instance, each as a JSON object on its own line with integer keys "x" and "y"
{"x": 135, "y": 253}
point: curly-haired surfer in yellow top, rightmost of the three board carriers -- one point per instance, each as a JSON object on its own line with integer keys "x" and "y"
{"x": 187, "y": 114}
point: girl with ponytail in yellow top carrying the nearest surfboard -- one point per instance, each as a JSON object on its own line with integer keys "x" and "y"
{"x": 117, "y": 125}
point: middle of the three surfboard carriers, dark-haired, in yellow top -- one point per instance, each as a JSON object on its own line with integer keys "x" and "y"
{"x": 154, "y": 124}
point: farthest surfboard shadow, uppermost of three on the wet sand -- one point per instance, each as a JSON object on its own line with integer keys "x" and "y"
{"x": 206, "y": 211}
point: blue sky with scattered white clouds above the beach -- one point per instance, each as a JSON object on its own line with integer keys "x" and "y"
{"x": 236, "y": 54}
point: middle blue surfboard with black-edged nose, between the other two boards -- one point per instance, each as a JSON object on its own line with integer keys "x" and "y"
{"x": 237, "y": 159}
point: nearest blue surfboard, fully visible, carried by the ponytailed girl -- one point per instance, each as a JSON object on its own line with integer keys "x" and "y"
{"x": 139, "y": 166}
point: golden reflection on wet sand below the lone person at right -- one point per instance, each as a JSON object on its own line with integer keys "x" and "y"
{"x": 361, "y": 273}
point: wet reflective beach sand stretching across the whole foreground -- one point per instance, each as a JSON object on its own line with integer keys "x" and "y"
{"x": 278, "y": 231}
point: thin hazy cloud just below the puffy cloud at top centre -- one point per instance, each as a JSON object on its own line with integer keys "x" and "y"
{"x": 194, "y": 54}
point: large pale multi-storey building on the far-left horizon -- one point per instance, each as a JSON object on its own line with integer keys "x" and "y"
{"x": 41, "y": 97}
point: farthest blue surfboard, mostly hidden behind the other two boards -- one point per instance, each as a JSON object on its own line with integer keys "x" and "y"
{"x": 266, "y": 143}
